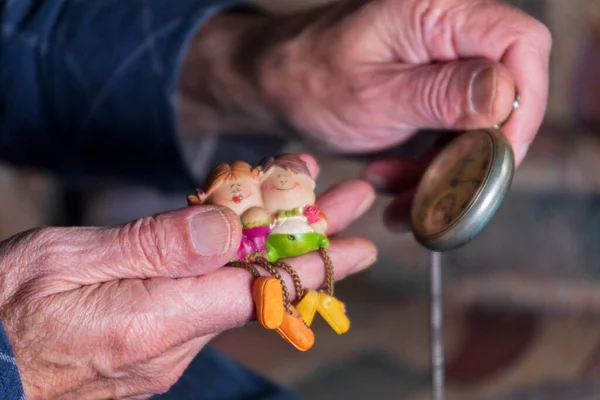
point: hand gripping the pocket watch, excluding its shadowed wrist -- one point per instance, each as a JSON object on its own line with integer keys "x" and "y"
{"x": 360, "y": 76}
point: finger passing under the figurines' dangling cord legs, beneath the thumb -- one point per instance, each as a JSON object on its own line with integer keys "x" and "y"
{"x": 221, "y": 300}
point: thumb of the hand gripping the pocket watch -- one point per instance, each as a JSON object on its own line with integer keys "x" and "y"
{"x": 455, "y": 95}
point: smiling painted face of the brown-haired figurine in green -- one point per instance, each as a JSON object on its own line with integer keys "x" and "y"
{"x": 283, "y": 189}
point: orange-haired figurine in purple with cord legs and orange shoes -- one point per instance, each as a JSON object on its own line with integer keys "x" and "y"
{"x": 237, "y": 186}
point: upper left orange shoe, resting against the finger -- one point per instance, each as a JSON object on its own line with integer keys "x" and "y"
{"x": 267, "y": 294}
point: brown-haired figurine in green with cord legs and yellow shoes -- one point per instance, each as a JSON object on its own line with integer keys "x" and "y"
{"x": 298, "y": 227}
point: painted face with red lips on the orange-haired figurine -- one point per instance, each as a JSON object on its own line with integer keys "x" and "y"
{"x": 238, "y": 194}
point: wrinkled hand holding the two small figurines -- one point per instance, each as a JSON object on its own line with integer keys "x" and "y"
{"x": 121, "y": 311}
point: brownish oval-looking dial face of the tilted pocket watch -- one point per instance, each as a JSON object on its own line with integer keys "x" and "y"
{"x": 452, "y": 182}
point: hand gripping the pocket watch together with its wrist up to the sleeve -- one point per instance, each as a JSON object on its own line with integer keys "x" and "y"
{"x": 359, "y": 76}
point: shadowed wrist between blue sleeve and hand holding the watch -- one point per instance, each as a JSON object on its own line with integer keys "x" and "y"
{"x": 218, "y": 92}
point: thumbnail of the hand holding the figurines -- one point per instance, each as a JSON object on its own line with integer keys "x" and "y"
{"x": 210, "y": 232}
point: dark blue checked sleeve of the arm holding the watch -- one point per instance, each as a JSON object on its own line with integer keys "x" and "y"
{"x": 87, "y": 87}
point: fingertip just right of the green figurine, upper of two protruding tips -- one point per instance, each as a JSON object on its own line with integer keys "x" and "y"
{"x": 344, "y": 203}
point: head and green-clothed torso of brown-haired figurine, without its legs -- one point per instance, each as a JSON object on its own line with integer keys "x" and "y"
{"x": 288, "y": 190}
